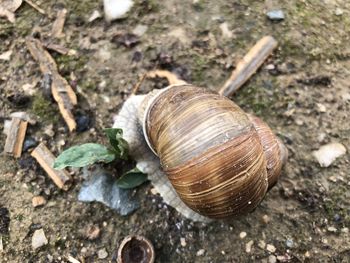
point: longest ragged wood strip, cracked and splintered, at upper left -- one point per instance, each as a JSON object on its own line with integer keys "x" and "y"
{"x": 61, "y": 91}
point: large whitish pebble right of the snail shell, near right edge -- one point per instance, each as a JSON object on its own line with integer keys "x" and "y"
{"x": 327, "y": 154}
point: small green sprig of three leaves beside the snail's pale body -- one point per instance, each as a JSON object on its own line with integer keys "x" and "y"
{"x": 91, "y": 153}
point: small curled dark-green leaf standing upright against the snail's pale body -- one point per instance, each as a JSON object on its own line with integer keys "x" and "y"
{"x": 120, "y": 146}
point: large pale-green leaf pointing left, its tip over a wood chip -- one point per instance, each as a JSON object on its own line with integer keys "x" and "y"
{"x": 83, "y": 155}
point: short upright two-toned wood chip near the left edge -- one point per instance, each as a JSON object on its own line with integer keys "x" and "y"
{"x": 15, "y": 137}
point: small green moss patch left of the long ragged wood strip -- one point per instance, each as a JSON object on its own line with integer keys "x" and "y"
{"x": 45, "y": 109}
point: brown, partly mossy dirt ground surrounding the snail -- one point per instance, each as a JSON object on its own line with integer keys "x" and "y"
{"x": 304, "y": 97}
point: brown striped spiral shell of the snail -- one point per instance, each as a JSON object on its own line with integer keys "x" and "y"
{"x": 220, "y": 160}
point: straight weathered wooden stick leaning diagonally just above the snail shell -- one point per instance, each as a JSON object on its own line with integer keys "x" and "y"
{"x": 249, "y": 65}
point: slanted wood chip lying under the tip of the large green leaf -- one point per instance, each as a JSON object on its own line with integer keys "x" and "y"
{"x": 46, "y": 159}
